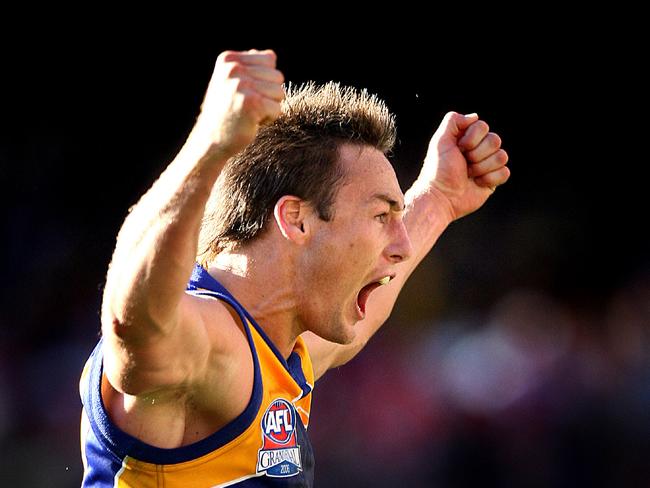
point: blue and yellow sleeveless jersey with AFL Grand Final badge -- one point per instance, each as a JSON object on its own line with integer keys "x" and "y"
{"x": 265, "y": 446}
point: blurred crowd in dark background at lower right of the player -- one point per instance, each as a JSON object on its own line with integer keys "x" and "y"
{"x": 533, "y": 393}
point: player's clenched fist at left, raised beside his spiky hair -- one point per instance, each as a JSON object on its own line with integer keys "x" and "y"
{"x": 244, "y": 92}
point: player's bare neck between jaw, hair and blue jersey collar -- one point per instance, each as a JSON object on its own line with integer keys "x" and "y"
{"x": 262, "y": 282}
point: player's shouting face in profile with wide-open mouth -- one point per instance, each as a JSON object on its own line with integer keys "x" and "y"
{"x": 346, "y": 257}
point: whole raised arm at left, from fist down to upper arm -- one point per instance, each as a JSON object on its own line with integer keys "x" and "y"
{"x": 154, "y": 332}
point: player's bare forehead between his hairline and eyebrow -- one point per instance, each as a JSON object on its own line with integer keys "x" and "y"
{"x": 367, "y": 172}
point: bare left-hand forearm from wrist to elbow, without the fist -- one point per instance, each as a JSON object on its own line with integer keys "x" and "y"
{"x": 156, "y": 246}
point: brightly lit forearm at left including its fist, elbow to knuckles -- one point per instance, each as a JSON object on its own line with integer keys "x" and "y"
{"x": 157, "y": 244}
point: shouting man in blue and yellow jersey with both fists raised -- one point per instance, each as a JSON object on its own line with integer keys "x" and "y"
{"x": 305, "y": 241}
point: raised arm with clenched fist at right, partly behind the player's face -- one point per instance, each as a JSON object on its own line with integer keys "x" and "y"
{"x": 463, "y": 166}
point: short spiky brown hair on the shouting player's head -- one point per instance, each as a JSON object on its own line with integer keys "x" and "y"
{"x": 295, "y": 155}
